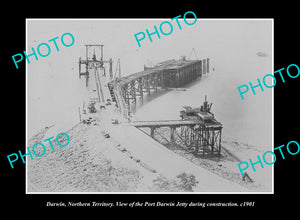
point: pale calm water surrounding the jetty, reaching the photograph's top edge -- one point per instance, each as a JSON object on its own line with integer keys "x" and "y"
{"x": 54, "y": 91}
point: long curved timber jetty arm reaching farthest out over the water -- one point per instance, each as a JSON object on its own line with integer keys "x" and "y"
{"x": 168, "y": 74}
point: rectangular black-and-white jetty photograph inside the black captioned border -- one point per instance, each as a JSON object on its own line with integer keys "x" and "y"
{"x": 163, "y": 116}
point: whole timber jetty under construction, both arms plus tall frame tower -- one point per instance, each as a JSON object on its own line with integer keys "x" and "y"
{"x": 197, "y": 129}
